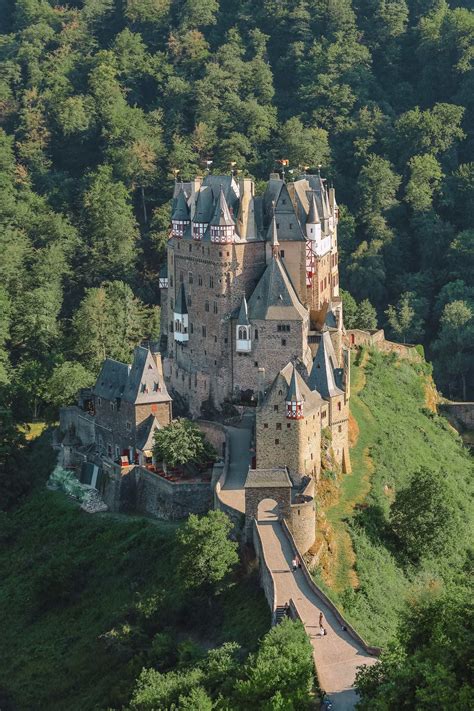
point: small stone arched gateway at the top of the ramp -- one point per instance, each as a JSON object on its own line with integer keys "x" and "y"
{"x": 263, "y": 484}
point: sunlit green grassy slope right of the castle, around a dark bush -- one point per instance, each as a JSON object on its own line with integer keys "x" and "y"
{"x": 397, "y": 435}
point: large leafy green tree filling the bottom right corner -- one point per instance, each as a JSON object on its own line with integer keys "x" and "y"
{"x": 428, "y": 666}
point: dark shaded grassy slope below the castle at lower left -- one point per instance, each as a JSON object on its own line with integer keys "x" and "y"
{"x": 52, "y": 654}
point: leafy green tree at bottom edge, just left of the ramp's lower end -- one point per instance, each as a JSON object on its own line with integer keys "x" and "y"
{"x": 280, "y": 675}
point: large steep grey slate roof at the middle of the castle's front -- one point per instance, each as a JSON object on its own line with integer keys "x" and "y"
{"x": 274, "y": 297}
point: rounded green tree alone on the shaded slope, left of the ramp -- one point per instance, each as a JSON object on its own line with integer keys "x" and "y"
{"x": 207, "y": 555}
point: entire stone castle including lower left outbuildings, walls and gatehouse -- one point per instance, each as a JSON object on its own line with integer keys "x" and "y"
{"x": 251, "y": 317}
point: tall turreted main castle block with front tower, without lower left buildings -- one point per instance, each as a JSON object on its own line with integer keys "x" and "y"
{"x": 251, "y": 312}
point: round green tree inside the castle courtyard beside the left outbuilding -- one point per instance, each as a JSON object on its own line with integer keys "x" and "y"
{"x": 182, "y": 442}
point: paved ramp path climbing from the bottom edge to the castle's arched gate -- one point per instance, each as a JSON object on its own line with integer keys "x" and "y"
{"x": 336, "y": 655}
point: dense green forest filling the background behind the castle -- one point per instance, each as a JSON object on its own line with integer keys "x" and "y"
{"x": 103, "y": 103}
